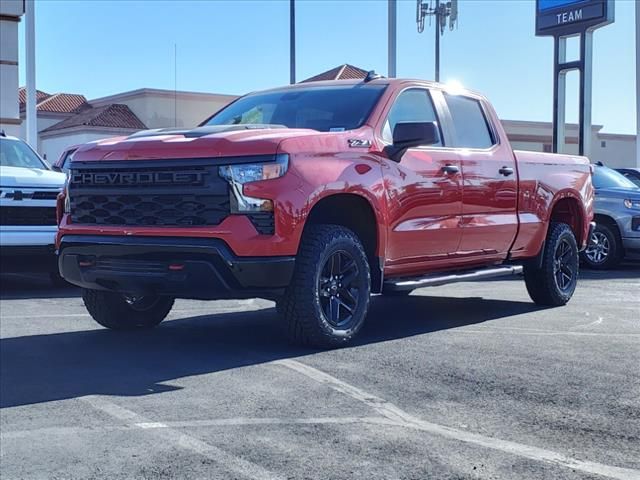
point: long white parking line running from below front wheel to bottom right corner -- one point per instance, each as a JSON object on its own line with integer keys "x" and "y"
{"x": 398, "y": 415}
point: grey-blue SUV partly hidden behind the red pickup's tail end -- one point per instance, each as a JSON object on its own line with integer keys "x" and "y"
{"x": 617, "y": 217}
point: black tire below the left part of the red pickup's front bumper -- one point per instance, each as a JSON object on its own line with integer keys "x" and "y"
{"x": 111, "y": 310}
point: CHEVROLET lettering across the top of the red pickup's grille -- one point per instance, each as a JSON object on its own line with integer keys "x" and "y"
{"x": 138, "y": 178}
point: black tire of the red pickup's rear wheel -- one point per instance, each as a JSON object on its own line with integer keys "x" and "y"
{"x": 541, "y": 281}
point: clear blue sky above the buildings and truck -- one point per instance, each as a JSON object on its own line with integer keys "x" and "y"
{"x": 99, "y": 48}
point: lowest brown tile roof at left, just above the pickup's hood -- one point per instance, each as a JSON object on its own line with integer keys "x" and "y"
{"x": 113, "y": 116}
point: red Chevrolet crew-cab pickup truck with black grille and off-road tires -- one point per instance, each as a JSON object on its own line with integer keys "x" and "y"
{"x": 318, "y": 195}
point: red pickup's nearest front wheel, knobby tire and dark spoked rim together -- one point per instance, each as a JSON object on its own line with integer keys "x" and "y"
{"x": 328, "y": 298}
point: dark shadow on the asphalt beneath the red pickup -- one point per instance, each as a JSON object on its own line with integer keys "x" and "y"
{"x": 42, "y": 368}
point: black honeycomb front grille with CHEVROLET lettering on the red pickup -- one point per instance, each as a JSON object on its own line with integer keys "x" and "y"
{"x": 175, "y": 194}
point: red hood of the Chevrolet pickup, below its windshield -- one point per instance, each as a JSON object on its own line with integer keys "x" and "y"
{"x": 200, "y": 142}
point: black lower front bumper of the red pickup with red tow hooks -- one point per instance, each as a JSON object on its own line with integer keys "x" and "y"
{"x": 197, "y": 268}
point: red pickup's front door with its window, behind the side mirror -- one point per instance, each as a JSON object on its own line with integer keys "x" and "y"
{"x": 425, "y": 191}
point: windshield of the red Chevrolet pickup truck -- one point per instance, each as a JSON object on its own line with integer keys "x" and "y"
{"x": 326, "y": 109}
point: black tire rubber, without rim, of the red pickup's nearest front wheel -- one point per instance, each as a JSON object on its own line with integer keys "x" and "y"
{"x": 301, "y": 309}
